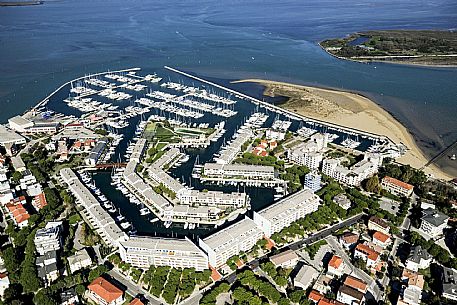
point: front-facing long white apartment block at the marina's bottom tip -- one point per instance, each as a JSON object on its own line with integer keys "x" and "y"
{"x": 143, "y": 252}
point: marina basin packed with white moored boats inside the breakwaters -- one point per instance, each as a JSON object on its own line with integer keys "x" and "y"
{"x": 188, "y": 111}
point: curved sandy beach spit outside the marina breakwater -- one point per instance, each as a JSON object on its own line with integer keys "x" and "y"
{"x": 349, "y": 110}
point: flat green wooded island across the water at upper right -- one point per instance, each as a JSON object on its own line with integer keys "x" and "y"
{"x": 424, "y": 47}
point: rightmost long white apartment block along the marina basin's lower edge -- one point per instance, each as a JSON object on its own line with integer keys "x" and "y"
{"x": 283, "y": 213}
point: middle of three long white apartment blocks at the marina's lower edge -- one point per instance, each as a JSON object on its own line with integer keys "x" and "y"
{"x": 220, "y": 246}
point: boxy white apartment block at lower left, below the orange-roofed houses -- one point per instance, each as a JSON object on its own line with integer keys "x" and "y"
{"x": 49, "y": 238}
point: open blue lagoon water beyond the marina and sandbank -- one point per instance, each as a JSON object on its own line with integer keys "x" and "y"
{"x": 44, "y": 46}
